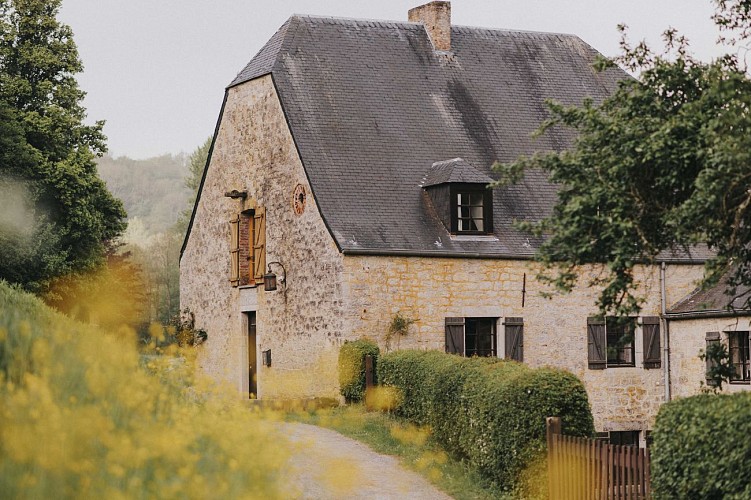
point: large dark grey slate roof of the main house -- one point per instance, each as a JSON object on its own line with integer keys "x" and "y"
{"x": 372, "y": 107}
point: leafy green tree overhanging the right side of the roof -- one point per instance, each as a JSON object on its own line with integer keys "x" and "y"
{"x": 662, "y": 165}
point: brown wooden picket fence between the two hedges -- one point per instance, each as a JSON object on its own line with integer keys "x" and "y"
{"x": 581, "y": 468}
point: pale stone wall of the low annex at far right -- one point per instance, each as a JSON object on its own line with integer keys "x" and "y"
{"x": 687, "y": 340}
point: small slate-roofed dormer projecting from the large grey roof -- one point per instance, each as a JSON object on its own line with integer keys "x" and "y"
{"x": 460, "y": 197}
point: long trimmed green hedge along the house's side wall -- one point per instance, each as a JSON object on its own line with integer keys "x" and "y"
{"x": 486, "y": 411}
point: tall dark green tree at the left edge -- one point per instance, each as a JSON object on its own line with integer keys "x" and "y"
{"x": 48, "y": 153}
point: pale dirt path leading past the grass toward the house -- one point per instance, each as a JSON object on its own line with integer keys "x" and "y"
{"x": 331, "y": 466}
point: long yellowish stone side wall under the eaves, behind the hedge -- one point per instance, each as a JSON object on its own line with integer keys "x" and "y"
{"x": 555, "y": 330}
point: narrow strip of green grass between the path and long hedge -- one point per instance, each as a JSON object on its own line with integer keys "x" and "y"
{"x": 414, "y": 447}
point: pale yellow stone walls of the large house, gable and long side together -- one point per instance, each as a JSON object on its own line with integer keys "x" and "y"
{"x": 330, "y": 297}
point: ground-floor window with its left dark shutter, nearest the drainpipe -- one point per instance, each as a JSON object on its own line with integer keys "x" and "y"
{"x": 610, "y": 342}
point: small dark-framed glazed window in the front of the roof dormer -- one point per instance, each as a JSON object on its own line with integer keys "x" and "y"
{"x": 472, "y": 209}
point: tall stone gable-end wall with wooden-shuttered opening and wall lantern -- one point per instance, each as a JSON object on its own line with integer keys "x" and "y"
{"x": 301, "y": 322}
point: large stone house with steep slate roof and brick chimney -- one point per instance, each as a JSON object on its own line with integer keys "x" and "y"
{"x": 350, "y": 164}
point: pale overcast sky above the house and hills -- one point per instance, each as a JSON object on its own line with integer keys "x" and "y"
{"x": 156, "y": 70}
